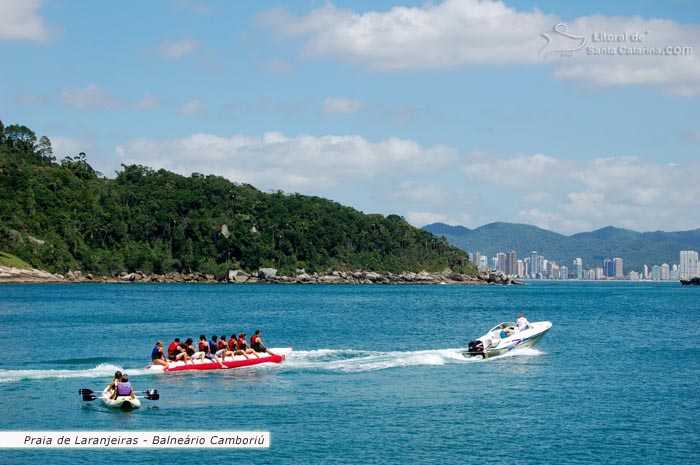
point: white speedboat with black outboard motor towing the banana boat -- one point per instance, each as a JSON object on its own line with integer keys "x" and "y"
{"x": 492, "y": 344}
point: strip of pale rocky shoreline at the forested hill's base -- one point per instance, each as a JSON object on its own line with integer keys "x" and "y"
{"x": 264, "y": 275}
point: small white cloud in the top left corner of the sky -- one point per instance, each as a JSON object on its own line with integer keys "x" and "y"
{"x": 20, "y": 20}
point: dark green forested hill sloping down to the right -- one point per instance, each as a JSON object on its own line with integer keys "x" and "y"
{"x": 62, "y": 216}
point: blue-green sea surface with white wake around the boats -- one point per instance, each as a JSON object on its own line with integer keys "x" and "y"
{"x": 376, "y": 377}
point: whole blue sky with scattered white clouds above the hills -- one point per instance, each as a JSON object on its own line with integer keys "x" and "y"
{"x": 570, "y": 116}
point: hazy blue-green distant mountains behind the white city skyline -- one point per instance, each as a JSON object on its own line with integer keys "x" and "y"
{"x": 636, "y": 249}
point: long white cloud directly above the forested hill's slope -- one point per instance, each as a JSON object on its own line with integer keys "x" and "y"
{"x": 301, "y": 163}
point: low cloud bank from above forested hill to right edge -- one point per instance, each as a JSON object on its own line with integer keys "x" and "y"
{"x": 401, "y": 176}
